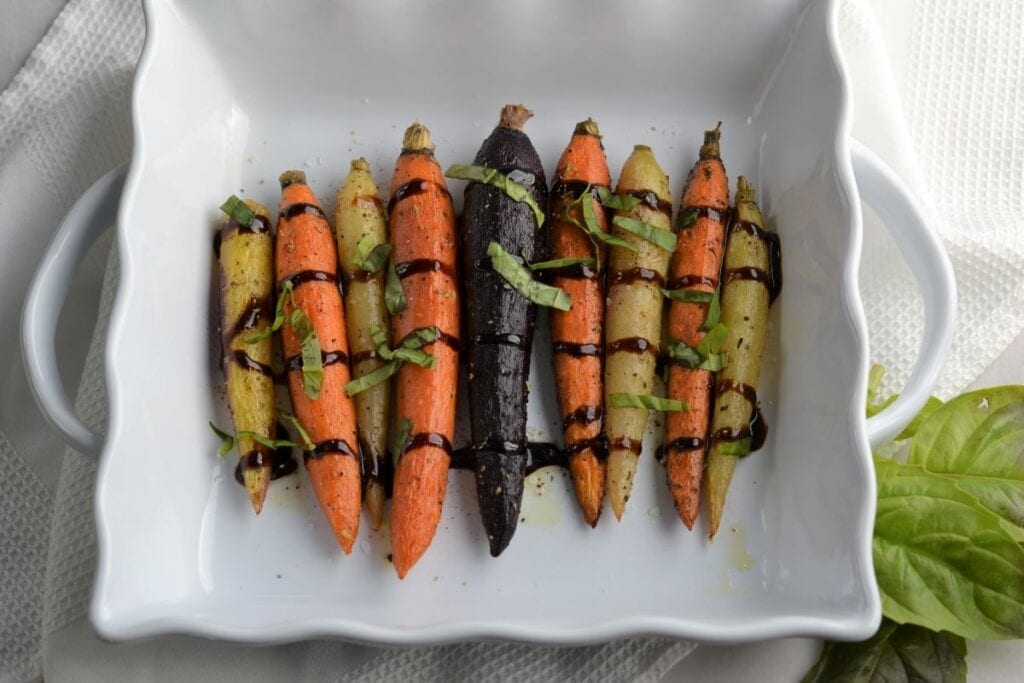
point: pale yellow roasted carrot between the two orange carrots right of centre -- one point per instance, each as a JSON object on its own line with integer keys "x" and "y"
{"x": 633, "y": 330}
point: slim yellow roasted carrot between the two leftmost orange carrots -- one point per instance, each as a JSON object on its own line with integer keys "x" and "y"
{"x": 363, "y": 251}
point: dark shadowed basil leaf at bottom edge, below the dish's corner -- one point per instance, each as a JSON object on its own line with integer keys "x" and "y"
{"x": 897, "y": 653}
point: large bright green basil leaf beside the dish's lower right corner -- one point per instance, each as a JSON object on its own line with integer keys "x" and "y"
{"x": 942, "y": 560}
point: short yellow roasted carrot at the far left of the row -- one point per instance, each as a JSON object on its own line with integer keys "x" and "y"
{"x": 246, "y": 293}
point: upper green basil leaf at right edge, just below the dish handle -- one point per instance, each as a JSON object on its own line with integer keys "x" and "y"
{"x": 976, "y": 441}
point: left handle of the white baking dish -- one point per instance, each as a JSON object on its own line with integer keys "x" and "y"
{"x": 93, "y": 215}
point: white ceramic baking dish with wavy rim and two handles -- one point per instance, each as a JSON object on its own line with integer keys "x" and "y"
{"x": 229, "y": 94}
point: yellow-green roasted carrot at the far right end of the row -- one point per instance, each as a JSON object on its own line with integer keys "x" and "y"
{"x": 750, "y": 282}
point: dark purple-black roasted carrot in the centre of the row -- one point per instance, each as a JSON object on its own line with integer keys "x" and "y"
{"x": 500, "y": 323}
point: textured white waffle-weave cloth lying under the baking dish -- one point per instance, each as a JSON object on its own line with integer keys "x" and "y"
{"x": 65, "y": 121}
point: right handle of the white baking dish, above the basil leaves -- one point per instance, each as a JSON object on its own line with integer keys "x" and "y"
{"x": 920, "y": 246}
